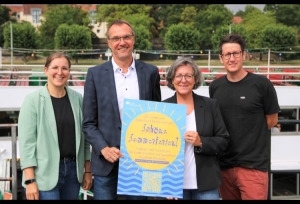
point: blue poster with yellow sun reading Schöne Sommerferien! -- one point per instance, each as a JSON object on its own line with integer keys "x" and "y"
{"x": 153, "y": 147}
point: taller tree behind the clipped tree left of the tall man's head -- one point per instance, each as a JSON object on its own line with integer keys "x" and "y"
{"x": 57, "y": 14}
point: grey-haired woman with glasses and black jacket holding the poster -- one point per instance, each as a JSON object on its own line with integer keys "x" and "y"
{"x": 206, "y": 133}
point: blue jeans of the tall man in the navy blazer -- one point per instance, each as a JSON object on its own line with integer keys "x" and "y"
{"x": 105, "y": 187}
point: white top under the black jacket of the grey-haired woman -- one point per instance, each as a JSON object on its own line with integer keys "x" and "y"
{"x": 190, "y": 178}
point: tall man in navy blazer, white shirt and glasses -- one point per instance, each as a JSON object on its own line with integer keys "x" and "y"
{"x": 105, "y": 88}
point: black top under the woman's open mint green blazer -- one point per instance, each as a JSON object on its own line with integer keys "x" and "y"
{"x": 65, "y": 126}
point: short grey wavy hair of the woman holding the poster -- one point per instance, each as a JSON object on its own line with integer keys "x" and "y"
{"x": 181, "y": 62}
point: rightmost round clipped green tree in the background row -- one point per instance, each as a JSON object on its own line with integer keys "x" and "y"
{"x": 278, "y": 36}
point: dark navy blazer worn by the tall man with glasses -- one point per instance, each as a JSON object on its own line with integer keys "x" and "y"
{"x": 101, "y": 117}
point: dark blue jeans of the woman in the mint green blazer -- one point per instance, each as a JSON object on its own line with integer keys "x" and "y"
{"x": 67, "y": 187}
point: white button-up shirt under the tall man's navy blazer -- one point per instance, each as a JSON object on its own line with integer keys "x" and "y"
{"x": 126, "y": 84}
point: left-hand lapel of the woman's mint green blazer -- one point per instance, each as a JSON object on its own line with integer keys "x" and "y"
{"x": 47, "y": 107}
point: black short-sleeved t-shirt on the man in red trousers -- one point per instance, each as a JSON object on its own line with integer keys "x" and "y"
{"x": 244, "y": 105}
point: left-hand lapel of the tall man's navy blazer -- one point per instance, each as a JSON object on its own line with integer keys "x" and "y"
{"x": 111, "y": 86}
